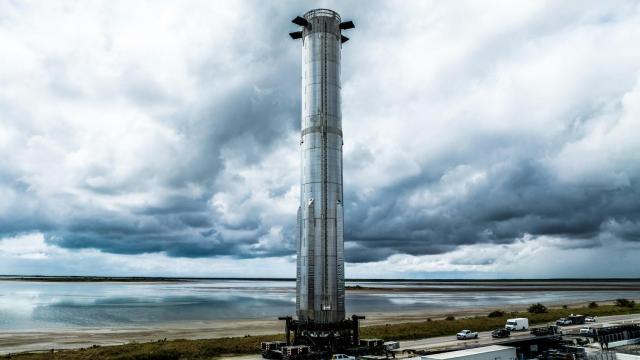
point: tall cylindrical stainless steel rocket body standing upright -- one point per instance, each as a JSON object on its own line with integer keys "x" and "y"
{"x": 320, "y": 261}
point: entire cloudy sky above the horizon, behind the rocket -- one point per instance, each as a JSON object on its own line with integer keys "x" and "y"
{"x": 482, "y": 139}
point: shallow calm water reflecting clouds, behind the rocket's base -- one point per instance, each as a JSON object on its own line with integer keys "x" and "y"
{"x": 29, "y": 305}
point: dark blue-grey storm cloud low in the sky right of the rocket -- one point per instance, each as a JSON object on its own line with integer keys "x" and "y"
{"x": 521, "y": 198}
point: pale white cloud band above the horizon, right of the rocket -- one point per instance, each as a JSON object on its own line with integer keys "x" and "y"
{"x": 528, "y": 257}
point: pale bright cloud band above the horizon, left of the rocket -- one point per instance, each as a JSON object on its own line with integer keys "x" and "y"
{"x": 30, "y": 254}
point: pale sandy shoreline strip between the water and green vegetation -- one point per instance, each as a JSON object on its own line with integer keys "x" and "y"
{"x": 65, "y": 338}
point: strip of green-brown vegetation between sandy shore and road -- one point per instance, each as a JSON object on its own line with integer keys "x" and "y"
{"x": 216, "y": 348}
